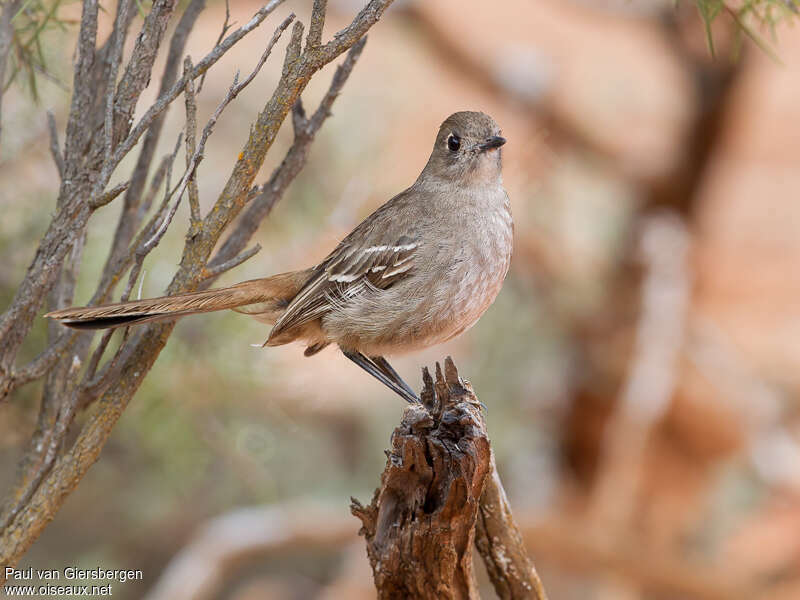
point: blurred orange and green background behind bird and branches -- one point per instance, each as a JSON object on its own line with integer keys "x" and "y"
{"x": 641, "y": 366}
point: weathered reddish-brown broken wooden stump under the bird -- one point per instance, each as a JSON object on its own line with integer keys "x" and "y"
{"x": 438, "y": 484}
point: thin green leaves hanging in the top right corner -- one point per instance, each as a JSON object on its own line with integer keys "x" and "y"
{"x": 749, "y": 16}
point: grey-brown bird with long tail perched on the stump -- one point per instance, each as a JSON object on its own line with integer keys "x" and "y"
{"x": 418, "y": 271}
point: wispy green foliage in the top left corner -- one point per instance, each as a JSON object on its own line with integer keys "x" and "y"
{"x": 27, "y": 56}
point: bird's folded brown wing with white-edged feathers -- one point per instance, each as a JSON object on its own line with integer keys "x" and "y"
{"x": 348, "y": 271}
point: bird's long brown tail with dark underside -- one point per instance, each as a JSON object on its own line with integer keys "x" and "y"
{"x": 274, "y": 292}
